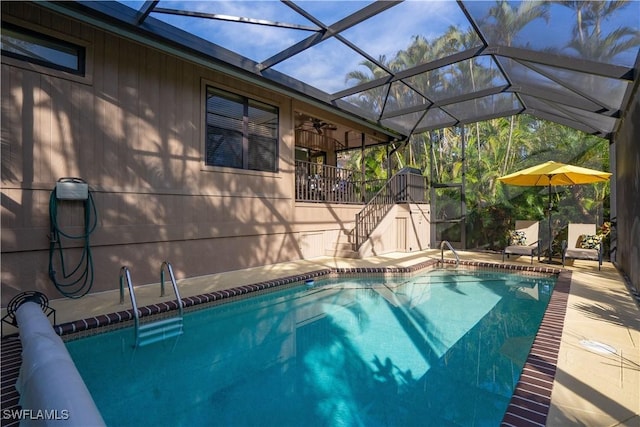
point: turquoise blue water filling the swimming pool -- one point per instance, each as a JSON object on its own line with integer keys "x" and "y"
{"x": 441, "y": 349}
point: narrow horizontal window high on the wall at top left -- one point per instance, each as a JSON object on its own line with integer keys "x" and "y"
{"x": 41, "y": 49}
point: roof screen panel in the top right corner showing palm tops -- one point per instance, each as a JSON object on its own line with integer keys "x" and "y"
{"x": 552, "y": 27}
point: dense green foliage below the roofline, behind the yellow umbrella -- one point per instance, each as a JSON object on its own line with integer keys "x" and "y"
{"x": 493, "y": 207}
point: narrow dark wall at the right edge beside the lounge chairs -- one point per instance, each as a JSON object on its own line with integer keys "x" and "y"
{"x": 627, "y": 193}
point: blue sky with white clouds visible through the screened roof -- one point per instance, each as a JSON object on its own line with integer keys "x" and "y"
{"x": 326, "y": 65}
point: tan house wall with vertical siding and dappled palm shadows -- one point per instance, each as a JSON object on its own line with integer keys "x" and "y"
{"x": 132, "y": 128}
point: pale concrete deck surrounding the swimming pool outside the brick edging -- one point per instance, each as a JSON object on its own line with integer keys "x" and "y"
{"x": 597, "y": 381}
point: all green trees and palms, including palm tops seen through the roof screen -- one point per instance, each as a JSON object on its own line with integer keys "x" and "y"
{"x": 479, "y": 153}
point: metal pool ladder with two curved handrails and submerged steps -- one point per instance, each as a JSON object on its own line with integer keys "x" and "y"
{"x": 151, "y": 332}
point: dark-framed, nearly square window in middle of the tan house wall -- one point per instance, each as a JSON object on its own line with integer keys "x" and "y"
{"x": 241, "y": 132}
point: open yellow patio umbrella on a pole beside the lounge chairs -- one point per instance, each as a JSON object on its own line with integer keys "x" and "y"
{"x": 554, "y": 173}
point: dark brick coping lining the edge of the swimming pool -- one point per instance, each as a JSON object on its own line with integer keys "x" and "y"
{"x": 529, "y": 405}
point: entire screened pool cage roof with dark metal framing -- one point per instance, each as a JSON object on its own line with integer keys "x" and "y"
{"x": 410, "y": 66}
